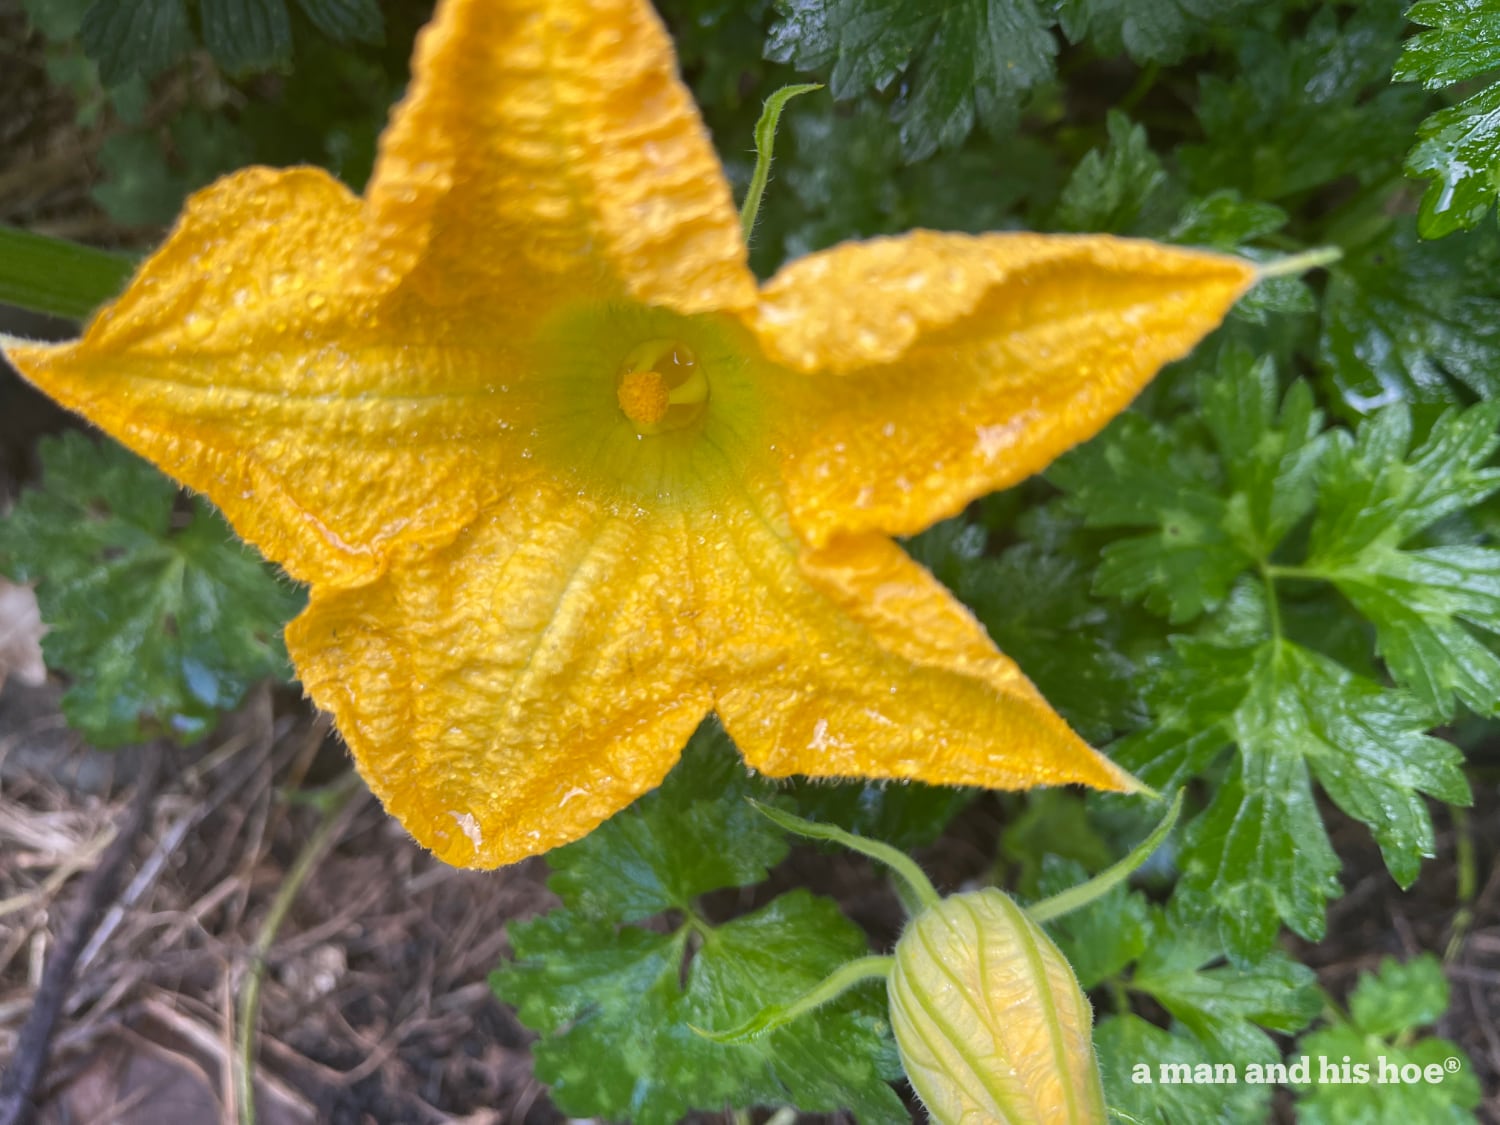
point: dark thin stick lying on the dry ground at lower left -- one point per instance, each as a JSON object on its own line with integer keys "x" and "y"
{"x": 19, "y": 1084}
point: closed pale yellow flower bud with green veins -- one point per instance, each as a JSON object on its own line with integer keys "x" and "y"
{"x": 989, "y": 1018}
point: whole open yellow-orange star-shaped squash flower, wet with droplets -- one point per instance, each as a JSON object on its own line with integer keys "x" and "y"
{"x": 565, "y": 481}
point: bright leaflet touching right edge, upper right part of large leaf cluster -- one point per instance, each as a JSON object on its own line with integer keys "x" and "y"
{"x": 1373, "y": 500}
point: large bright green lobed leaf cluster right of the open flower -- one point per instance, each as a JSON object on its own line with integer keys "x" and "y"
{"x": 1222, "y": 493}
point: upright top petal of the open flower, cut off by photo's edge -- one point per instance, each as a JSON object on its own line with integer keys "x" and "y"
{"x": 550, "y": 152}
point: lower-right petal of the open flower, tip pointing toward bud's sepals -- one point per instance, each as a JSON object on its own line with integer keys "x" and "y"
{"x": 854, "y": 662}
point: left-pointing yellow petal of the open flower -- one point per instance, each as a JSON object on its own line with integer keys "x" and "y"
{"x": 247, "y": 361}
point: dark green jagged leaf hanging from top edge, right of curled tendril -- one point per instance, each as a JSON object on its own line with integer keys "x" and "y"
{"x": 965, "y": 61}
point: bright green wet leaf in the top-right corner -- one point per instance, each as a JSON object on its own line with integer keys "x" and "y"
{"x": 1459, "y": 148}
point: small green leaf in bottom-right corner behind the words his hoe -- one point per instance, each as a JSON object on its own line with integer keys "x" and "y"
{"x": 1385, "y": 1015}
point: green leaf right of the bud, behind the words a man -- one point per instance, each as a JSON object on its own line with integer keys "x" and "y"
{"x": 1144, "y": 1084}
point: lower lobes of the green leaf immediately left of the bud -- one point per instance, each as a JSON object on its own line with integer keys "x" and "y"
{"x": 617, "y": 1009}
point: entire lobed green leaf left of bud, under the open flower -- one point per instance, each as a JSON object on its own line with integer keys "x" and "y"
{"x": 619, "y": 1004}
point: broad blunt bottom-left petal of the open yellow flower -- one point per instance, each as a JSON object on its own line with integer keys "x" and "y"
{"x": 509, "y": 692}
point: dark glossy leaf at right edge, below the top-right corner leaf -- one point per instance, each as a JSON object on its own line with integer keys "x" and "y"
{"x": 1406, "y": 320}
